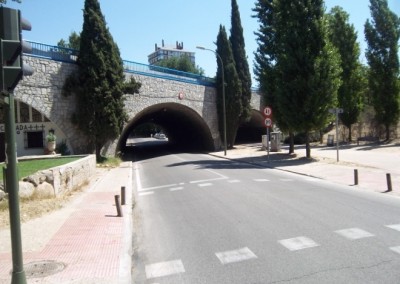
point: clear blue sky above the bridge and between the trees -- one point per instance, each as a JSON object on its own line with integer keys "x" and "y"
{"x": 138, "y": 25}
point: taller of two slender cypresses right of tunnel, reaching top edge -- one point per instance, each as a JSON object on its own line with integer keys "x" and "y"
{"x": 242, "y": 66}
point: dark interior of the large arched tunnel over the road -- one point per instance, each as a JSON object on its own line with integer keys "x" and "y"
{"x": 185, "y": 129}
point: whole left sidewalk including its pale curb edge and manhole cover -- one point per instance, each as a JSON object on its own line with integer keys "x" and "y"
{"x": 84, "y": 242}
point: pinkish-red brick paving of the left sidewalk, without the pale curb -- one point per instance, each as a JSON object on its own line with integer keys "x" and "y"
{"x": 87, "y": 247}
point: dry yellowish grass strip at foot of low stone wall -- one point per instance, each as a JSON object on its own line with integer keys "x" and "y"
{"x": 38, "y": 205}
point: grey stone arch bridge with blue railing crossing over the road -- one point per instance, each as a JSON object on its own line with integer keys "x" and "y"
{"x": 183, "y": 104}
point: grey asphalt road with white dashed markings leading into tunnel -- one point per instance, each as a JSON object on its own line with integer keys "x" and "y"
{"x": 202, "y": 219}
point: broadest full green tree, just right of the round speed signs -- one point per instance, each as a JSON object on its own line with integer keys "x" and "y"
{"x": 307, "y": 66}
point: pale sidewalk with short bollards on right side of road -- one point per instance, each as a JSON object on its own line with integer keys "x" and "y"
{"x": 373, "y": 162}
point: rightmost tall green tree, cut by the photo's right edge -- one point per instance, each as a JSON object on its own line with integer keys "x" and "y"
{"x": 382, "y": 35}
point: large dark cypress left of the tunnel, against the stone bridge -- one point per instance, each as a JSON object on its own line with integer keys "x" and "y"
{"x": 99, "y": 83}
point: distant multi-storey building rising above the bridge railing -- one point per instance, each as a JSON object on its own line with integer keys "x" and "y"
{"x": 165, "y": 52}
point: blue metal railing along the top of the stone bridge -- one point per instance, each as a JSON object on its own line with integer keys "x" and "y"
{"x": 70, "y": 55}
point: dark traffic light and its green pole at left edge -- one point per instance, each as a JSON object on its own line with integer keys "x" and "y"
{"x": 12, "y": 69}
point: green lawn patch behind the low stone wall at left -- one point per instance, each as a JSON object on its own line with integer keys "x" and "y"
{"x": 28, "y": 167}
